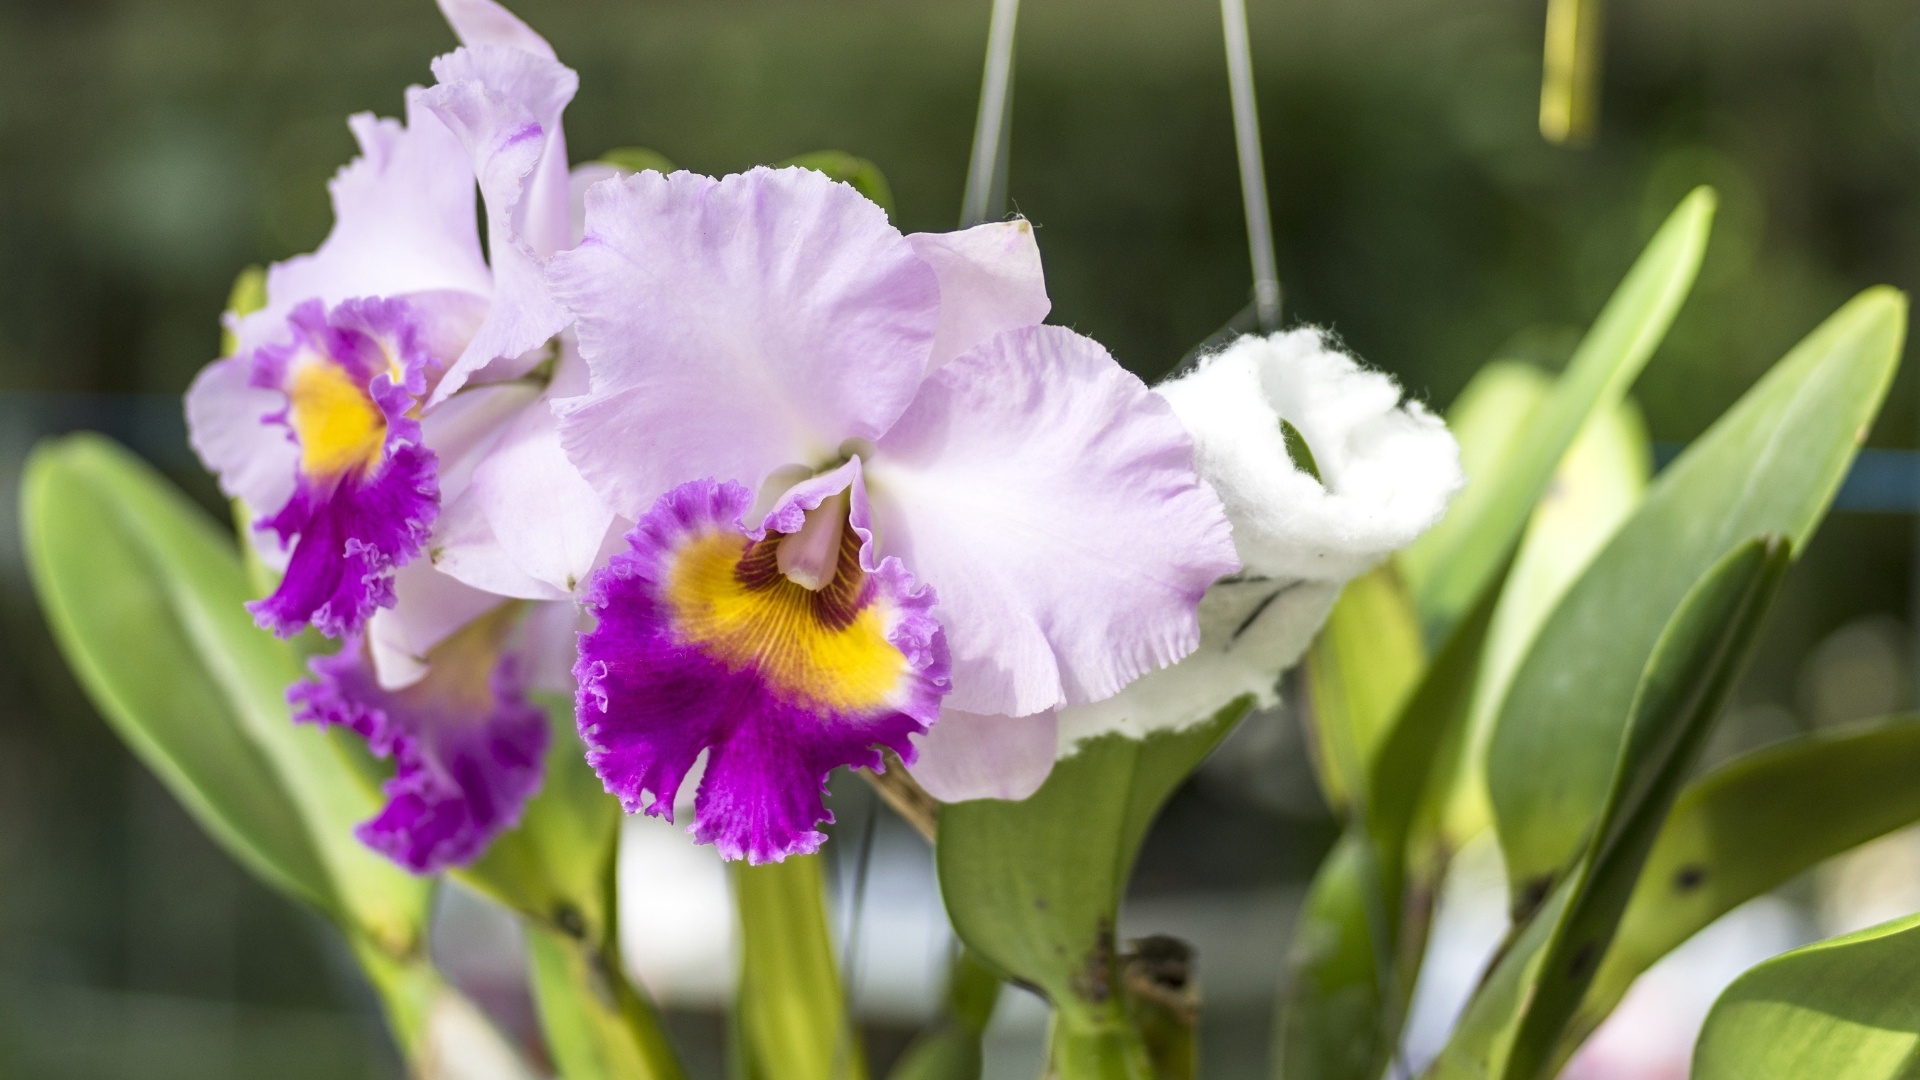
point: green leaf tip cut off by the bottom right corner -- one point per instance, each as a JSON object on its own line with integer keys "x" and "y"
{"x": 1844, "y": 1010}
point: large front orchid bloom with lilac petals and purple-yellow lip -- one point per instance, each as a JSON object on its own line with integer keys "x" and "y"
{"x": 875, "y": 497}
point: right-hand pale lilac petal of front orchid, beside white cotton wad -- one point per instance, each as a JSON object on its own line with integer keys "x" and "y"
{"x": 1053, "y": 503}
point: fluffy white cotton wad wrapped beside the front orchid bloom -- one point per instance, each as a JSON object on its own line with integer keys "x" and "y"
{"x": 1387, "y": 474}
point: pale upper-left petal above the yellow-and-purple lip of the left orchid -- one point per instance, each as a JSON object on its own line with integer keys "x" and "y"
{"x": 404, "y": 224}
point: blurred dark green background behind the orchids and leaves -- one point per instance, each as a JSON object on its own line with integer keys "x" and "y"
{"x": 151, "y": 149}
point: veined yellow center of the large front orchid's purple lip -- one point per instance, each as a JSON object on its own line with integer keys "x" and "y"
{"x": 811, "y": 647}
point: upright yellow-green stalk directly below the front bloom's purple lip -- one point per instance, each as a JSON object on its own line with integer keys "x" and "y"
{"x": 792, "y": 1014}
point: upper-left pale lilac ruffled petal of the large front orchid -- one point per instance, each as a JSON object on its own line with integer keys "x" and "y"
{"x": 736, "y": 328}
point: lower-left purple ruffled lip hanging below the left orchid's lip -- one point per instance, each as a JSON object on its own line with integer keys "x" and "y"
{"x": 466, "y": 743}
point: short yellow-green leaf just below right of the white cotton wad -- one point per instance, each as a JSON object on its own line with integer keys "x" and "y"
{"x": 1364, "y": 664}
